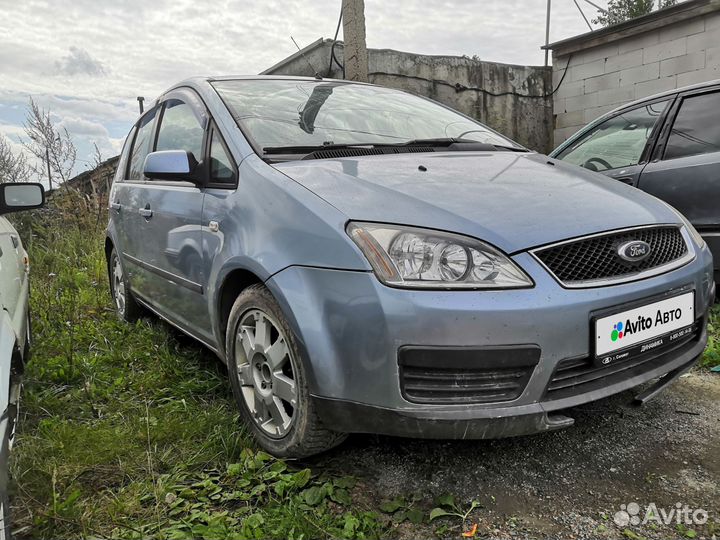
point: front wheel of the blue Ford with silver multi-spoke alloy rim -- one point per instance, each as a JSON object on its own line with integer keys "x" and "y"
{"x": 269, "y": 379}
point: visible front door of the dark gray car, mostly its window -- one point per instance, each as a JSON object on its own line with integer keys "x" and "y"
{"x": 620, "y": 145}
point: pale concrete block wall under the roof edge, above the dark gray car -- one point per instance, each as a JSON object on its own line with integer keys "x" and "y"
{"x": 606, "y": 76}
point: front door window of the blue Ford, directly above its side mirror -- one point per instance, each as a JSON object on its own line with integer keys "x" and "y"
{"x": 180, "y": 129}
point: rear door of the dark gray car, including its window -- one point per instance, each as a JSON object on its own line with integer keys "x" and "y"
{"x": 685, "y": 170}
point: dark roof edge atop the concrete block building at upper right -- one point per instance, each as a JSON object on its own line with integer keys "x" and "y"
{"x": 653, "y": 21}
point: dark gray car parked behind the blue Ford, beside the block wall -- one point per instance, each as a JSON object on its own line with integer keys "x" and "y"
{"x": 668, "y": 145}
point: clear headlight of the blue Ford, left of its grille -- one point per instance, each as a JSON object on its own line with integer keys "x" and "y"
{"x": 422, "y": 258}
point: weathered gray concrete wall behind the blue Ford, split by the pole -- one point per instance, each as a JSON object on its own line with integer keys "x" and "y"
{"x": 462, "y": 83}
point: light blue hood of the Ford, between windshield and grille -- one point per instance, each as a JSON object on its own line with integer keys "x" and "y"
{"x": 513, "y": 200}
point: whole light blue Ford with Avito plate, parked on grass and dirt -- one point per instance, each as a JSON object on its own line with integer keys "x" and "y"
{"x": 366, "y": 260}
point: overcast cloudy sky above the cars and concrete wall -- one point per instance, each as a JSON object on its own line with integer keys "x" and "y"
{"x": 87, "y": 60}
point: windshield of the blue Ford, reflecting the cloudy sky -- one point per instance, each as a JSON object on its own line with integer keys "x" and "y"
{"x": 279, "y": 114}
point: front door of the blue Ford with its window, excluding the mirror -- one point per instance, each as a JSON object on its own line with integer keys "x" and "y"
{"x": 170, "y": 246}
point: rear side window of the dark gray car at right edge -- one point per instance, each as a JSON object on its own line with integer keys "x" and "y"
{"x": 697, "y": 127}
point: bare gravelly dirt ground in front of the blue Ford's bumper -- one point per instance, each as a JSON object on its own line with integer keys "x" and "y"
{"x": 565, "y": 484}
